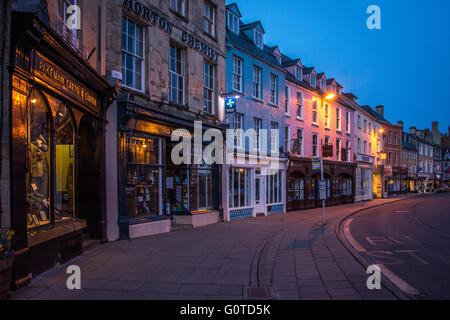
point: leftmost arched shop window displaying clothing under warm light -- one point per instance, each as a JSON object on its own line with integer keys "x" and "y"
{"x": 38, "y": 155}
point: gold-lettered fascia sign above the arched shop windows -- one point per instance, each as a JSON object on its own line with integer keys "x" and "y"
{"x": 50, "y": 73}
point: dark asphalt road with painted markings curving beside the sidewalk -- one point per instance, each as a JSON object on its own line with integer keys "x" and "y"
{"x": 411, "y": 239}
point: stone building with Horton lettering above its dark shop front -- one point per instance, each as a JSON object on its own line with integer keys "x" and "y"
{"x": 168, "y": 58}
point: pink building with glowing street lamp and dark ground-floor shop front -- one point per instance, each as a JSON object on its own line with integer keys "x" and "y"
{"x": 317, "y": 115}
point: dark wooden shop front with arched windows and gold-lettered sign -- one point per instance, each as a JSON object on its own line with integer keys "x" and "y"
{"x": 57, "y": 154}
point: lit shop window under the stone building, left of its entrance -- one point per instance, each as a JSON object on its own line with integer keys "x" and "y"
{"x": 143, "y": 176}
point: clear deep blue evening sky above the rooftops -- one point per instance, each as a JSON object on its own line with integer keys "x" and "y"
{"x": 404, "y": 66}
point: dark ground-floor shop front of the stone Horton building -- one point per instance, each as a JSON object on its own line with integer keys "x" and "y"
{"x": 153, "y": 190}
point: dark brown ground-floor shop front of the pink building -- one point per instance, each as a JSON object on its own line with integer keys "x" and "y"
{"x": 302, "y": 184}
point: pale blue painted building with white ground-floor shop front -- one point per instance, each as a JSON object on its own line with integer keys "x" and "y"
{"x": 255, "y": 178}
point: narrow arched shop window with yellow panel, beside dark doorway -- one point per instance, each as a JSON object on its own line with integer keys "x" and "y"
{"x": 65, "y": 164}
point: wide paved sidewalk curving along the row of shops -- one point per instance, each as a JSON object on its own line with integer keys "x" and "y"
{"x": 292, "y": 253}
